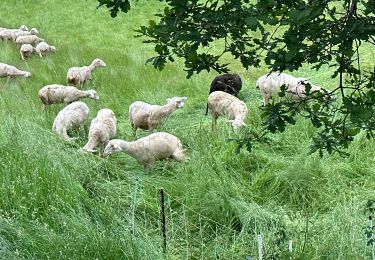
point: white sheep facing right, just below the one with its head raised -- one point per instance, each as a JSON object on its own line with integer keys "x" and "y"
{"x": 52, "y": 94}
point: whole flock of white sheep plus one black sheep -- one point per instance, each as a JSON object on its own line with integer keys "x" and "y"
{"x": 222, "y": 101}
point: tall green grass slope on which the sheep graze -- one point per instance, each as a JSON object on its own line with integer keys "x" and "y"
{"x": 57, "y": 202}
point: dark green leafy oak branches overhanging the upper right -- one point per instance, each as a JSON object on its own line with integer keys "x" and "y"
{"x": 319, "y": 32}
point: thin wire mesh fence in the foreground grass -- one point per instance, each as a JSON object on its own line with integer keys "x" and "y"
{"x": 192, "y": 234}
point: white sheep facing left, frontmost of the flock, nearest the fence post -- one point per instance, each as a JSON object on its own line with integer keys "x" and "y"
{"x": 157, "y": 146}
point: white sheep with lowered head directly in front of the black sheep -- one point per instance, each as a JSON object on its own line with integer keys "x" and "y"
{"x": 223, "y": 104}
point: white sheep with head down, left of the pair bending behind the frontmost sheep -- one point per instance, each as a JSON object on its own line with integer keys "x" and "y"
{"x": 73, "y": 115}
